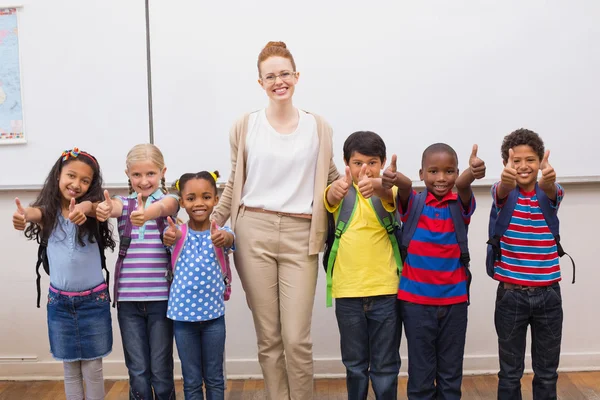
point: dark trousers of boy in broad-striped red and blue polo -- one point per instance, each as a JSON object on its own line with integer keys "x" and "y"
{"x": 435, "y": 336}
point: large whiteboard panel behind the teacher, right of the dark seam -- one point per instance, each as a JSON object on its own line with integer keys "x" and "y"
{"x": 416, "y": 72}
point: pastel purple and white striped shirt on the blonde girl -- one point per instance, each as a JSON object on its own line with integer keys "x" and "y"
{"x": 142, "y": 276}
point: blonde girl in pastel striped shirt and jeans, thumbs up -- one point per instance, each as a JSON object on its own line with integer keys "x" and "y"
{"x": 142, "y": 273}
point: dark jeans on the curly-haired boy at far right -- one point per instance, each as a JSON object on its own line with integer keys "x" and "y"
{"x": 515, "y": 310}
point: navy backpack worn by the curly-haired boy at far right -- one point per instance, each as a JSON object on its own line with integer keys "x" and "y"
{"x": 499, "y": 224}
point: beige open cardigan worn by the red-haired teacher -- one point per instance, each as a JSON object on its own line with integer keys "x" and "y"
{"x": 326, "y": 172}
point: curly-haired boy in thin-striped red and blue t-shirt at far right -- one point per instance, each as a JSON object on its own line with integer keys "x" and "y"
{"x": 528, "y": 269}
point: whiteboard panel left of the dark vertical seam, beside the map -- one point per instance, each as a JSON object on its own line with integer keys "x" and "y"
{"x": 84, "y": 80}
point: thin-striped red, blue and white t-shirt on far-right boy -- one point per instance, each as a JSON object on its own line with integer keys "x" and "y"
{"x": 529, "y": 255}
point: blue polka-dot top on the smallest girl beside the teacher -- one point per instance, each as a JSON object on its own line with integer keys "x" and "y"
{"x": 197, "y": 288}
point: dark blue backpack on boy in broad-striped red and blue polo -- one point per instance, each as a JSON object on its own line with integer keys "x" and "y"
{"x": 460, "y": 228}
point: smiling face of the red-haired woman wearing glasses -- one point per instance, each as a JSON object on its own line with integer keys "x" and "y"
{"x": 278, "y": 78}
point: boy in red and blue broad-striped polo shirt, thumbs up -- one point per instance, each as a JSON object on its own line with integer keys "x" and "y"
{"x": 434, "y": 284}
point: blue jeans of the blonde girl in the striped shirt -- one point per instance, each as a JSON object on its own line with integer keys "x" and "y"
{"x": 147, "y": 336}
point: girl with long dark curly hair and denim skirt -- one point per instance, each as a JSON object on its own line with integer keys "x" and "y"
{"x": 79, "y": 322}
